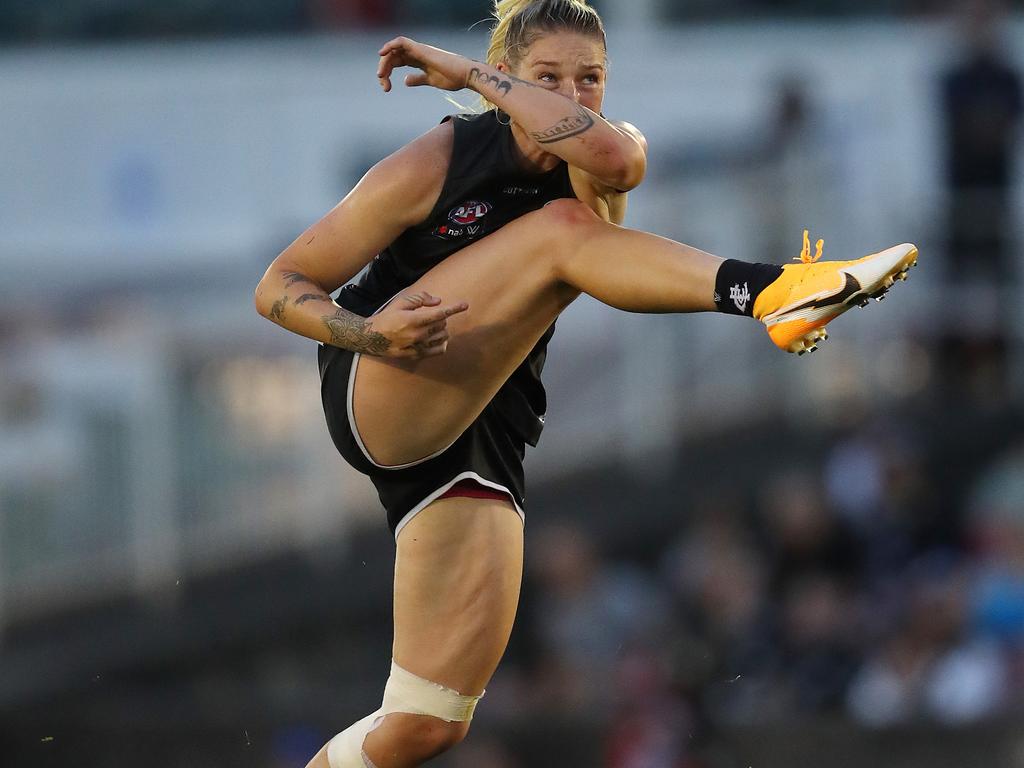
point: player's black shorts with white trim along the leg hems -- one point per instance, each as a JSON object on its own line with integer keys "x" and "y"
{"x": 489, "y": 452}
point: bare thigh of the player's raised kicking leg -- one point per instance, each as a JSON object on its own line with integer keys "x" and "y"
{"x": 408, "y": 410}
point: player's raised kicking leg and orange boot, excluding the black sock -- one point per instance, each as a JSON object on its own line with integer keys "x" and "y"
{"x": 519, "y": 280}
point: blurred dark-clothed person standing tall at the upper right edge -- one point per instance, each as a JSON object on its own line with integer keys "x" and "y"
{"x": 983, "y": 106}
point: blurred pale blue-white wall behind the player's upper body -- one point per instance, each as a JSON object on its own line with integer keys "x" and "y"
{"x": 178, "y": 156}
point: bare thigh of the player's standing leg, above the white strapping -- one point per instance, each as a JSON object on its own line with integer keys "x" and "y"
{"x": 457, "y": 578}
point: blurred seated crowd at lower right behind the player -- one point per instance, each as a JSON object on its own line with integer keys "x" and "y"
{"x": 850, "y": 587}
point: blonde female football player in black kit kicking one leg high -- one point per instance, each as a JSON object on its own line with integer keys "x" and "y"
{"x": 481, "y": 233}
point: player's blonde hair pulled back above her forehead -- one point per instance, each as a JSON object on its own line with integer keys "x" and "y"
{"x": 520, "y": 23}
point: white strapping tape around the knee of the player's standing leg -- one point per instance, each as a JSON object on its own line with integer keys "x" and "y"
{"x": 407, "y": 694}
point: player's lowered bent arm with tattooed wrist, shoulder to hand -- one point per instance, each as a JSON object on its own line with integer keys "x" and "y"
{"x": 395, "y": 195}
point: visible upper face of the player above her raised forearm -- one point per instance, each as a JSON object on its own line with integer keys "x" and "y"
{"x": 571, "y": 64}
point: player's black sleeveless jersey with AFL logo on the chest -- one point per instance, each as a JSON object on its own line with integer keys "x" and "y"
{"x": 486, "y": 188}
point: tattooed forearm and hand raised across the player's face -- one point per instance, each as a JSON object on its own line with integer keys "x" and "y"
{"x": 613, "y": 154}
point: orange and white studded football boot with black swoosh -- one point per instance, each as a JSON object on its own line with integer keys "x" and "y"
{"x": 807, "y": 296}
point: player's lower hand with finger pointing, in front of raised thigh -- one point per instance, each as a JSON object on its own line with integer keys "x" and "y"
{"x": 416, "y": 325}
